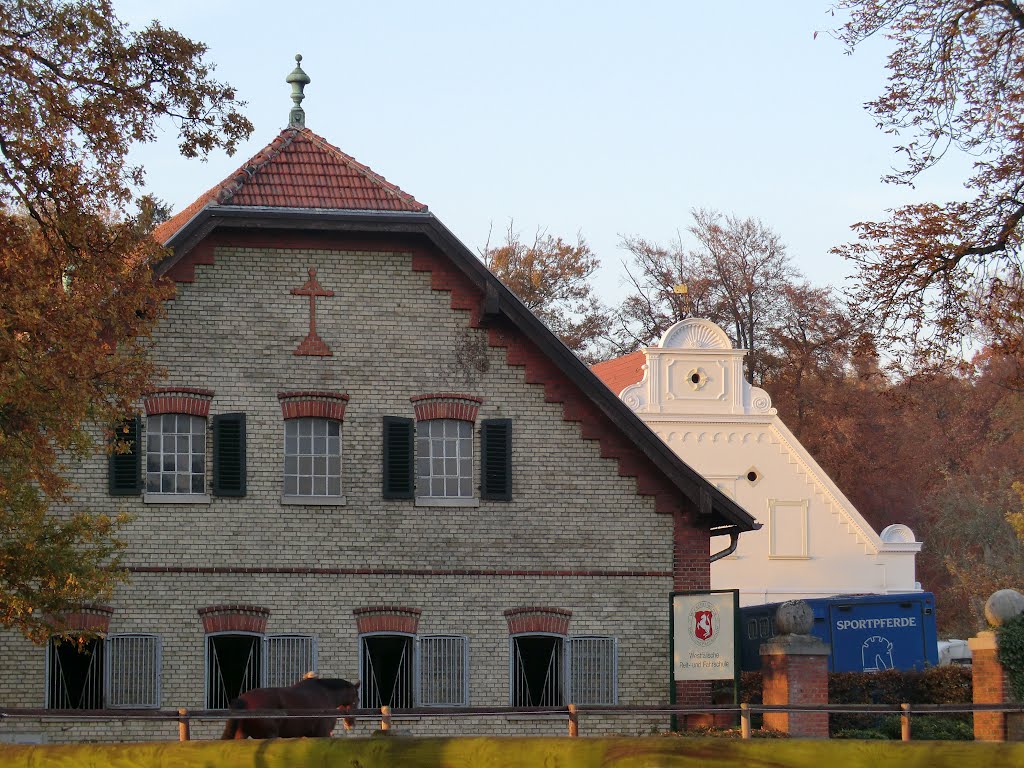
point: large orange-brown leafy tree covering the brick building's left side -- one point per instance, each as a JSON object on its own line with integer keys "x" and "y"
{"x": 77, "y": 295}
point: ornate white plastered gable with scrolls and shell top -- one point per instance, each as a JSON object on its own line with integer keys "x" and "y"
{"x": 814, "y": 542}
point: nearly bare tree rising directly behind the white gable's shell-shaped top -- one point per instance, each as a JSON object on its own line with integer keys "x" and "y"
{"x": 735, "y": 276}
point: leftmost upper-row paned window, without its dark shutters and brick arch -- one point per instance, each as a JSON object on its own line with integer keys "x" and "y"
{"x": 176, "y": 454}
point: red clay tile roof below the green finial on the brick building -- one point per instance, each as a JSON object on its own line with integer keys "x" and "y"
{"x": 300, "y": 169}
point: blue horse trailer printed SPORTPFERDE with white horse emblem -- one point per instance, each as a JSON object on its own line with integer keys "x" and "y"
{"x": 867, "y": 633}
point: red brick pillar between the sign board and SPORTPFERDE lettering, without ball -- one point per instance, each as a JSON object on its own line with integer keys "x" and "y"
{"x": 795, "y": 671}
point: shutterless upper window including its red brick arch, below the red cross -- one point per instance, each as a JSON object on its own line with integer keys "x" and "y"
{"x": 313, "y": 447}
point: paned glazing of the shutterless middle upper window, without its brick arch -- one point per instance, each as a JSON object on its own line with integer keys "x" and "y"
{"x": 313, "y": 460}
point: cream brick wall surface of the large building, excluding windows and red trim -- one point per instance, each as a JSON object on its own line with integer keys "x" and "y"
{"x": 234, "y": 331}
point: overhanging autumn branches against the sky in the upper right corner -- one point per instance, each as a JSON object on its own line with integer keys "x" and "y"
{"x": 940, "y": 271}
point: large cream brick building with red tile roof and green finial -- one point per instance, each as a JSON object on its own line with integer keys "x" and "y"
{"x": 369, "y": 459}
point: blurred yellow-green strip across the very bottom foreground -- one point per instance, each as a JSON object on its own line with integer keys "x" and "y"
{"x": 514, "y": 753}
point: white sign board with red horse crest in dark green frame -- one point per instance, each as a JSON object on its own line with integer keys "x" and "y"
{"x": 704, "y": 635}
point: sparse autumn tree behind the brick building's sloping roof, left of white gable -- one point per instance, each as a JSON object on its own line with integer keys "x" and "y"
{"x": 552, "y": 278}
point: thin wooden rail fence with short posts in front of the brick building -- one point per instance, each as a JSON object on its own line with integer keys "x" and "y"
{"x": 573, "y": 714}
